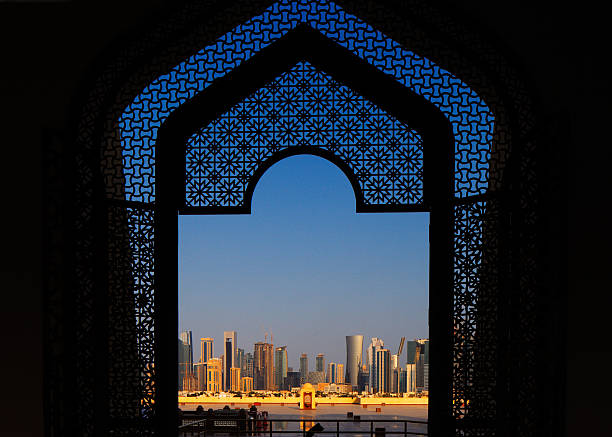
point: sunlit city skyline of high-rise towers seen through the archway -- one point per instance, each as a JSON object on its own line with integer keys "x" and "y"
{"x": 266, "y": 369}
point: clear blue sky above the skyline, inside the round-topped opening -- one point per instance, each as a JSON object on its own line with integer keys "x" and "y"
{"x": 305, "y": 267}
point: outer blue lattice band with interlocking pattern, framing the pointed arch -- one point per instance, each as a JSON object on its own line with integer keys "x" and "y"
{"x": 470, "y": 117}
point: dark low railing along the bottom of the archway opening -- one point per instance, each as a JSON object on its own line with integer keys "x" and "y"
{"x": 191, "y": 426}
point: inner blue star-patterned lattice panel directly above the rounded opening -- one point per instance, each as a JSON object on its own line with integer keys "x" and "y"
{"x": 304, "y": 107}
